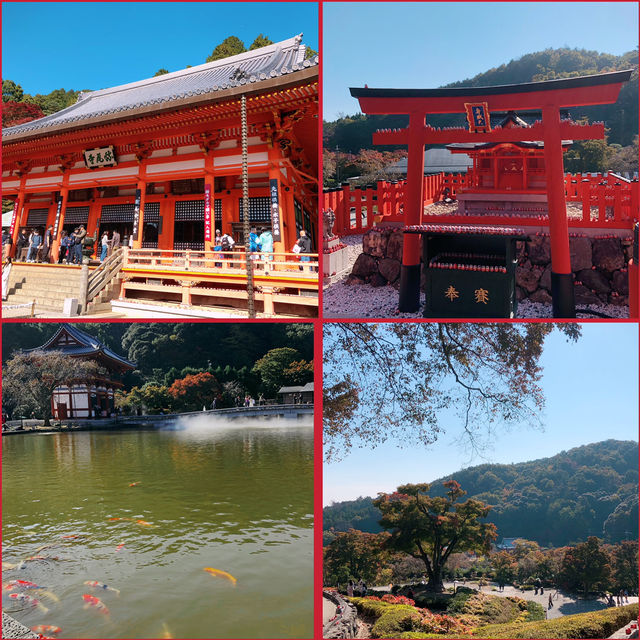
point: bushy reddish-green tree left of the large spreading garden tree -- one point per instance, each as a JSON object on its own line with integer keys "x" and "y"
{"x": 354, "y": 555}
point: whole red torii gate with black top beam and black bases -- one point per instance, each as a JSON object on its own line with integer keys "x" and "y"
{"x": 550, "y": 96}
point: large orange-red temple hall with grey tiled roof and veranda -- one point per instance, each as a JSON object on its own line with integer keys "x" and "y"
{"x": 161, "y": 162}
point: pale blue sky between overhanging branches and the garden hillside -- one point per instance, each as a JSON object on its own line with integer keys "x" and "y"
{"x": 591, "y": 388}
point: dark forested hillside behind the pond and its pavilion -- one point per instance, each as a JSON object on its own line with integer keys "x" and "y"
{"x": 165, "y": 352}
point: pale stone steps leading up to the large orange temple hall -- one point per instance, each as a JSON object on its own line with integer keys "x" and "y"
{"x": 47, "y": 285}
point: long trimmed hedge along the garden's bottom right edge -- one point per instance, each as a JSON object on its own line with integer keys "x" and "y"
{"x": 597, "y": 624}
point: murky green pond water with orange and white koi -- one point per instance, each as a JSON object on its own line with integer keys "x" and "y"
{"x": 235, "y": 498}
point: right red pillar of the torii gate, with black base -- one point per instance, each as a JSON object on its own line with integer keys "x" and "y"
{"x": 562, "y": 289}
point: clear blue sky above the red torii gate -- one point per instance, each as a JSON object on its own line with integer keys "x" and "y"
{"x": 429, "y": 44}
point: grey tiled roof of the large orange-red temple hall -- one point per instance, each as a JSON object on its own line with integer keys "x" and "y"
{"x": 252, "y": 68}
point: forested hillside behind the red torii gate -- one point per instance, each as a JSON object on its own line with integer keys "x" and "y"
{"x": 353, "y": 133}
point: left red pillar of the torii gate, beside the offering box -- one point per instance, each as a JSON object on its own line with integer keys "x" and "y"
{"x": 413, "y": 206}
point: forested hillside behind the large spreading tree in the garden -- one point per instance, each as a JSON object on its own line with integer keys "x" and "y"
{"x": 586, "y": 491}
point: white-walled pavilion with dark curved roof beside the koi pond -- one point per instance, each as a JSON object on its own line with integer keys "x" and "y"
{"x": 93, "y": 398}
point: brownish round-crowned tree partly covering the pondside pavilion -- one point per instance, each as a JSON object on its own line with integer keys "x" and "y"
{"x": 29, "y": 379}
